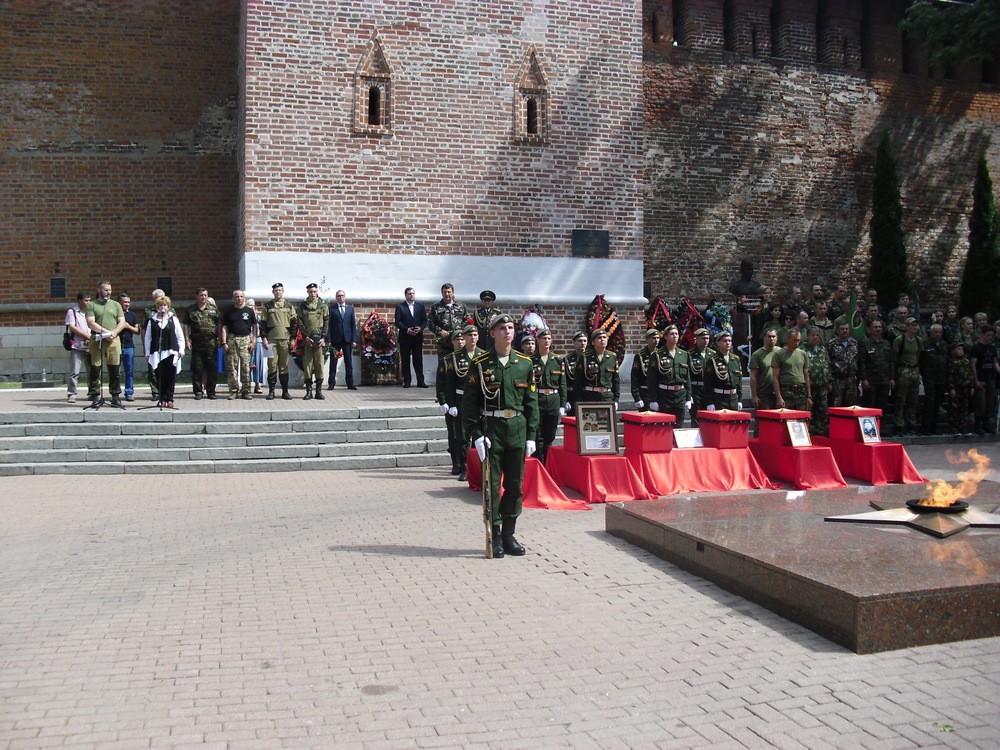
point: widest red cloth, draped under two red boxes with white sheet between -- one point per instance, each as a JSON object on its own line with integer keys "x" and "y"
{"x": 699, "y": 470}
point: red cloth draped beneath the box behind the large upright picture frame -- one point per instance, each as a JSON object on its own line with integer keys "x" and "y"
{"x": 600, "y": 479}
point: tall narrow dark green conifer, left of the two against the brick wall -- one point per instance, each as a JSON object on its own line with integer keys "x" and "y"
{"x": 888, "y": 259}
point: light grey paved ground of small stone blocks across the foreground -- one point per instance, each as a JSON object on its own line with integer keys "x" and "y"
{"x": 356, "y": 610}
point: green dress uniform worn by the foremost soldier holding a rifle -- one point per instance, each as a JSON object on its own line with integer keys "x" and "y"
{"x": 501, "y": 403}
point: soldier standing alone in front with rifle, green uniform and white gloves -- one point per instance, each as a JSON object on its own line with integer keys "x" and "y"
{"x": 500, "y": 414}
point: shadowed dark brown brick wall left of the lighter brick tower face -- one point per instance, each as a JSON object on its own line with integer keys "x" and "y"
{"x": 118, "y": 136}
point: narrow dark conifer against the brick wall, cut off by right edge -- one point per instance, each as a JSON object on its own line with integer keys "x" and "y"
{"x": 980, "y": 290}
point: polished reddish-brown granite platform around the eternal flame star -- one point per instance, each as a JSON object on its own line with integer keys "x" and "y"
{"x": 865, "y": 586}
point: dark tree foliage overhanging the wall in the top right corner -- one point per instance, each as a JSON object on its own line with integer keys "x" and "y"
{"x": 957, "y": 31}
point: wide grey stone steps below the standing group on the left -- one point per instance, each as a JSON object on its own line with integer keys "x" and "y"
{"x": 110, "y": 441}
